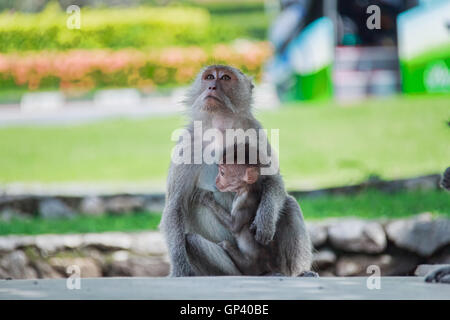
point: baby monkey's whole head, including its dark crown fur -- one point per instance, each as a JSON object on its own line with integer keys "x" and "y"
{"x": 236, "y": 176}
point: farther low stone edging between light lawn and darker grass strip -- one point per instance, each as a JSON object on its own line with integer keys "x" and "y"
{"x": 16, "y": 203}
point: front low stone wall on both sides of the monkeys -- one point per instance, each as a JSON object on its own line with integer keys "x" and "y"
{"x": 343, "y": 247}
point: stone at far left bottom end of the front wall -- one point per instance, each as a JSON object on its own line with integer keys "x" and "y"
{"x": 15, "y": 264}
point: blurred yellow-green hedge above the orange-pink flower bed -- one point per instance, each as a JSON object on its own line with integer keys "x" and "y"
{"x": 115, "y": 28}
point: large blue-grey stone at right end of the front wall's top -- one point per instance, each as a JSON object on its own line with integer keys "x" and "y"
{"x": 421, "y": 234}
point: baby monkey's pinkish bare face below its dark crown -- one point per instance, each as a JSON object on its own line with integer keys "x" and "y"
{"x": 235, "y": 177}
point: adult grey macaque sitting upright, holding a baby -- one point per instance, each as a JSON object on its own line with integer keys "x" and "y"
{"x": 221, "y": 98}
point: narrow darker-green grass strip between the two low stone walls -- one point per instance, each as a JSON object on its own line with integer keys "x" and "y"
{"x": 368, "y": 204}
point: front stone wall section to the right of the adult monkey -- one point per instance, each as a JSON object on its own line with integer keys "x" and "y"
{"x": 347, "y": 247}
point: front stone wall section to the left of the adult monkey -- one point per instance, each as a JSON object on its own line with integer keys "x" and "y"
{"x": 96, "y": 254}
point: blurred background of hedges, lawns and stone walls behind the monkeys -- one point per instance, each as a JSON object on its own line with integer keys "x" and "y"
{"x": 91, "y": 91}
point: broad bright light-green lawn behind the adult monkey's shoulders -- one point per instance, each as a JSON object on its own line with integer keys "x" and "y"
{"x": 320, "y": 145}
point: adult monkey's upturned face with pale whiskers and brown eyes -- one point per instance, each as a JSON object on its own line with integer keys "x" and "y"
{"x": 221, "y": 89}
